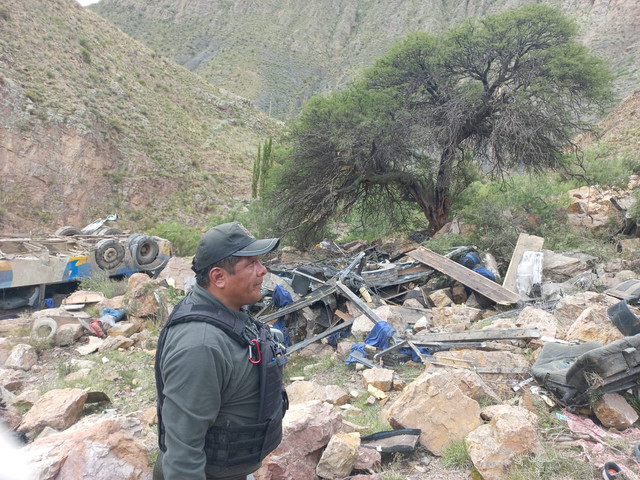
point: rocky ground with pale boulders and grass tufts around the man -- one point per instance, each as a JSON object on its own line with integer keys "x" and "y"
{"x": 84, "y": 406}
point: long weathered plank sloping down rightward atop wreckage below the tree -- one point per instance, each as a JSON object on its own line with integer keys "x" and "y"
{"x": 468, "y": 277}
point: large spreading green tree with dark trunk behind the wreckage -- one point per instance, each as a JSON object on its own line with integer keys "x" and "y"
{"x": 495, "y": 94}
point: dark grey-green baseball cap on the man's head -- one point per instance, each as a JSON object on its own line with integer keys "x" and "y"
{"x": 229, "y": 239}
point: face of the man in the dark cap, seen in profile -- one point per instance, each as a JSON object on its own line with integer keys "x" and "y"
{"x": 243, "y": 286}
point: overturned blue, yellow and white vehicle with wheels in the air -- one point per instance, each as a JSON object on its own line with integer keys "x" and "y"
{"x": 34, "y": 268}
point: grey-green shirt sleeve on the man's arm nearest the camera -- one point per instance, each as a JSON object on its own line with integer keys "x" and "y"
{"x": 192, "y": 387}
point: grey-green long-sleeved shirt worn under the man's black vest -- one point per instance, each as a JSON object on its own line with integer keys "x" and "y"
{"x": 208, "y": 380}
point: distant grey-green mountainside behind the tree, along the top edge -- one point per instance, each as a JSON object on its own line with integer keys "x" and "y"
{"x": 278, "y": 53}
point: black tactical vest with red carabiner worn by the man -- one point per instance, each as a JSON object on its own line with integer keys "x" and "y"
{"x": 246, "y": 444}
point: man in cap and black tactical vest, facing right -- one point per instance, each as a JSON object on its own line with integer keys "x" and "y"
{"x": 215, "y": 420}
